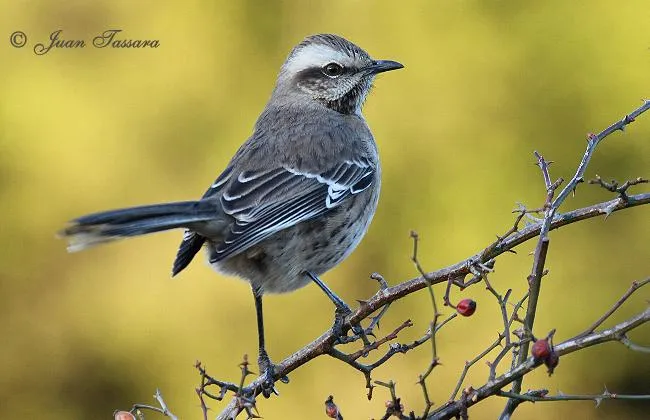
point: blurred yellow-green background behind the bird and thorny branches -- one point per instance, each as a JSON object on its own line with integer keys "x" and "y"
{"x": 485, "y": 84}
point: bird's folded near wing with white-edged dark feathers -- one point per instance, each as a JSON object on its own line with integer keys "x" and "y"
{"x": 265, "y": 202}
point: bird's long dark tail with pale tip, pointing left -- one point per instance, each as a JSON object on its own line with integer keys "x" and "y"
{"x": 98, "y": 228}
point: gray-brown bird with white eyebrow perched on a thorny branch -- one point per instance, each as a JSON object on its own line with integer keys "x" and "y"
{"x": 298, "y": 195}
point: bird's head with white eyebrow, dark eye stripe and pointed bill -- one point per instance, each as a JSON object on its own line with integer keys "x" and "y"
{"x": 331, "y": 70}
